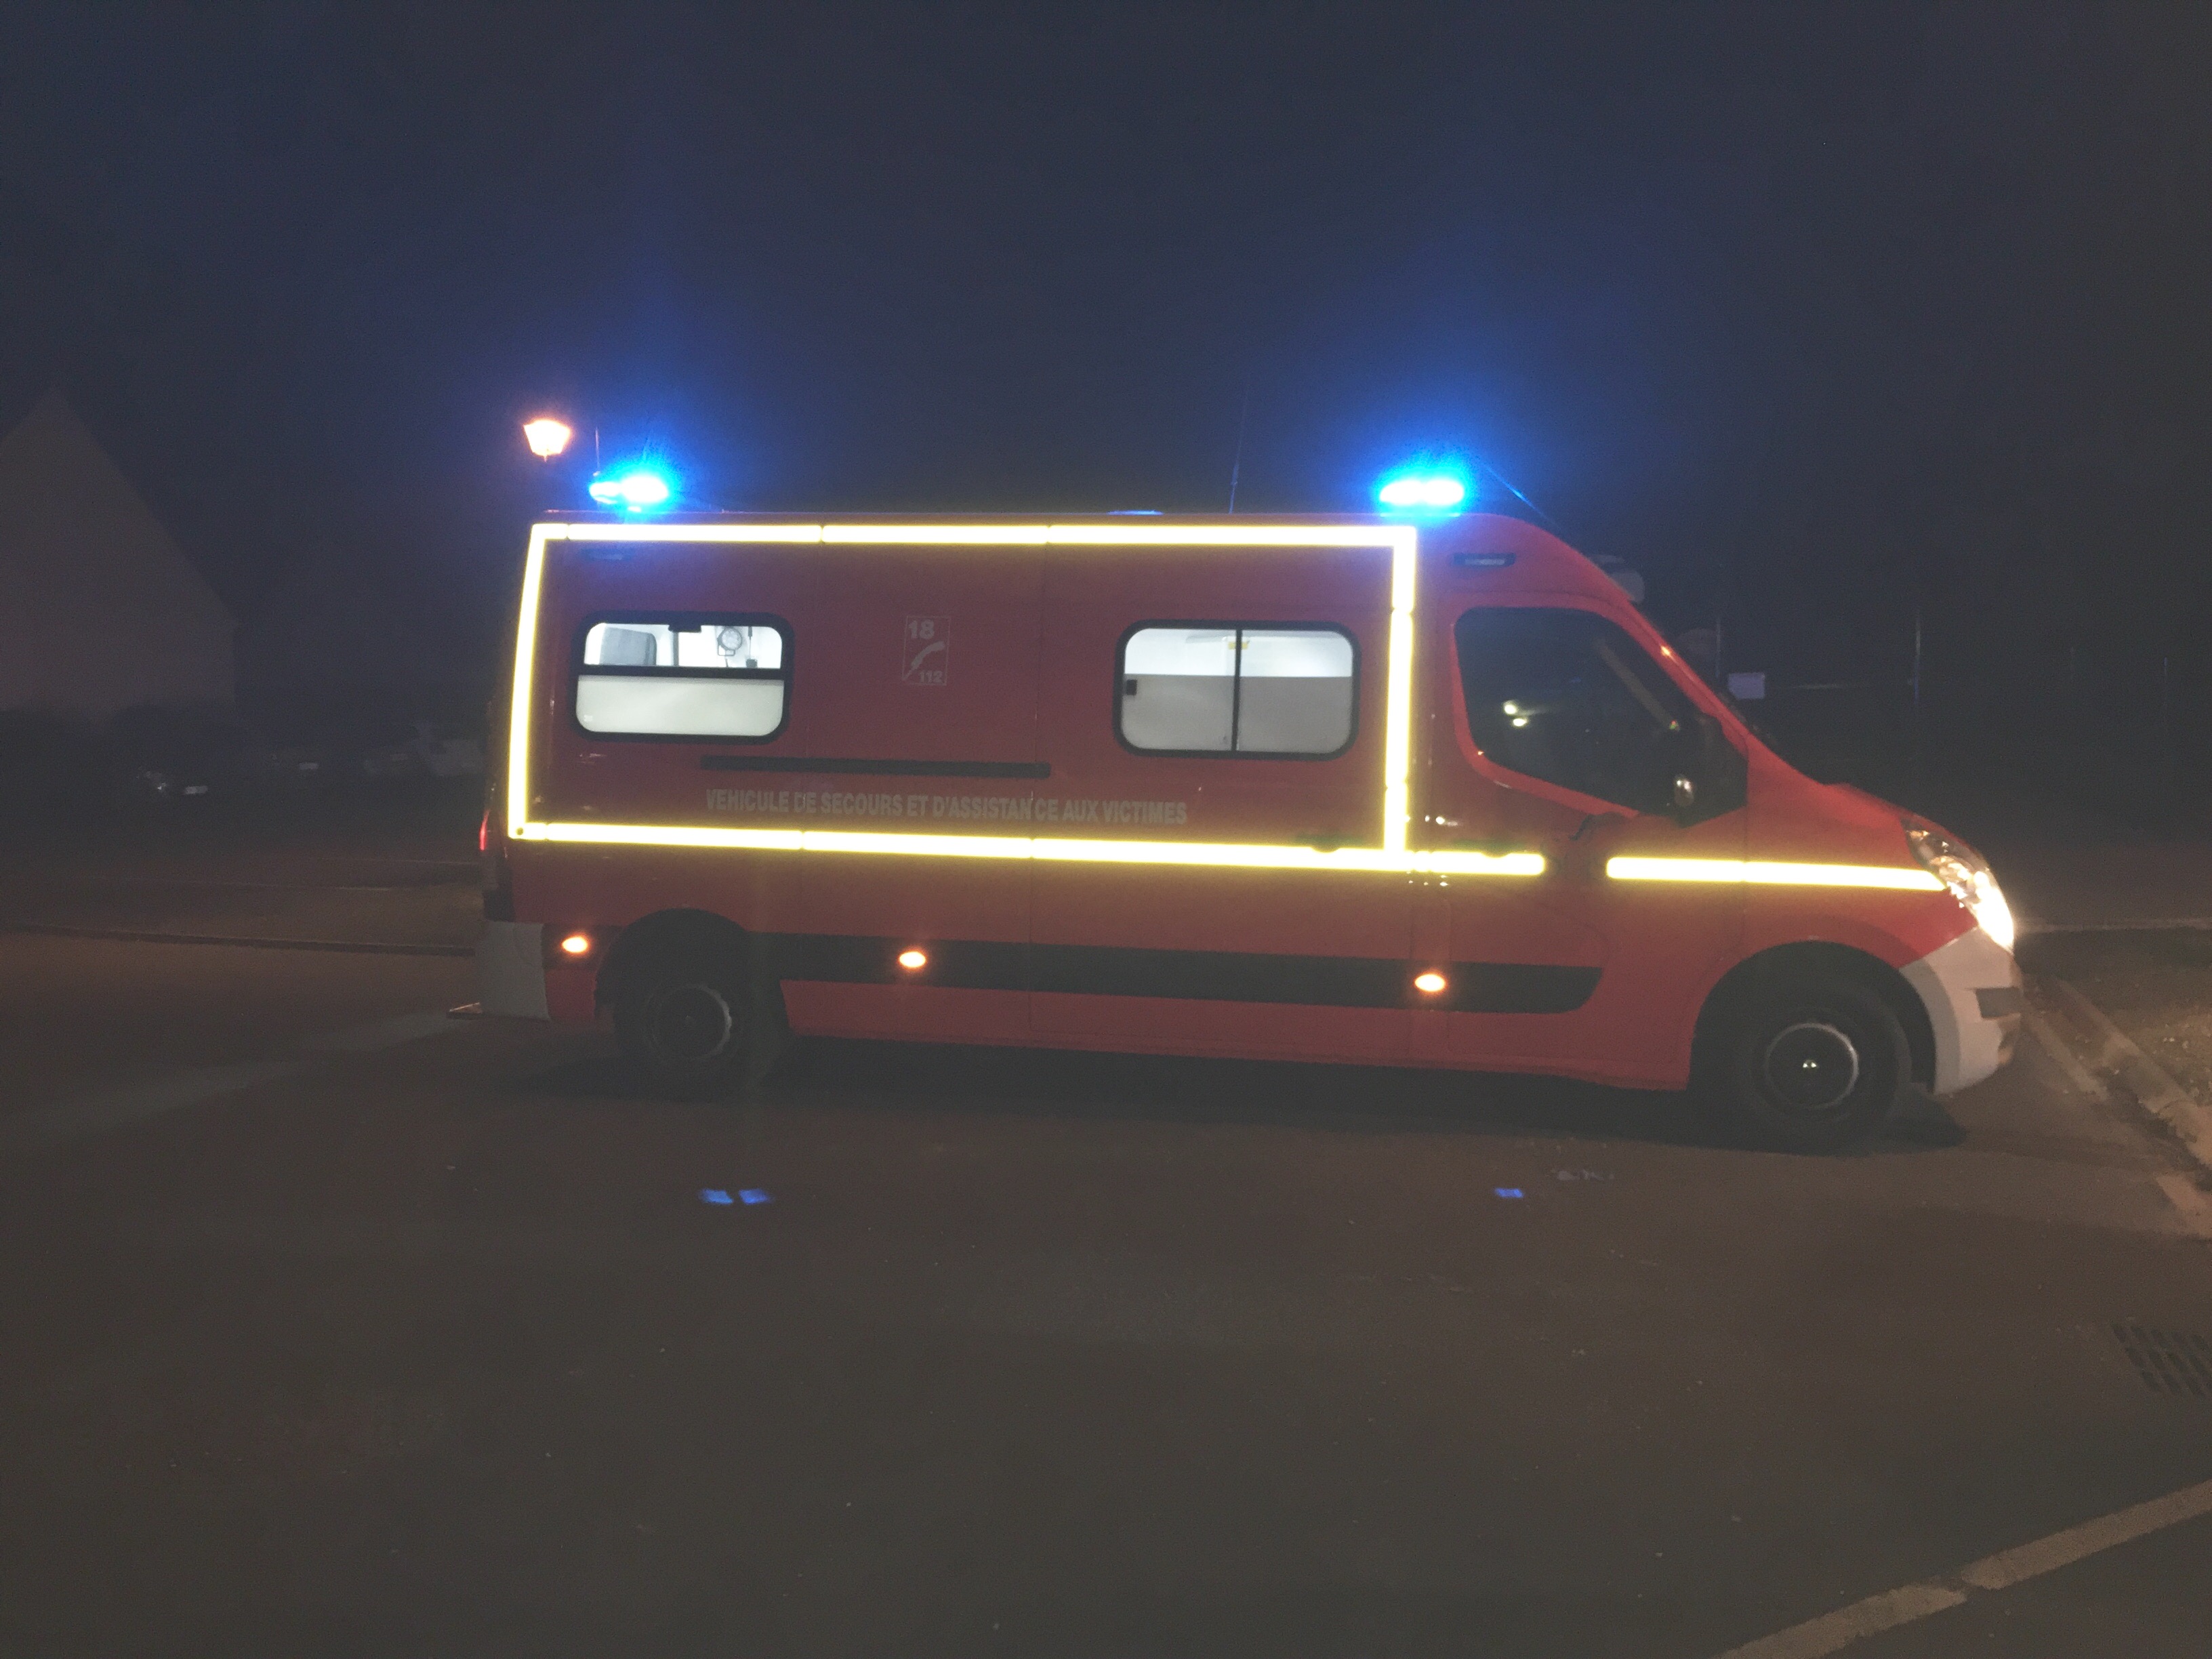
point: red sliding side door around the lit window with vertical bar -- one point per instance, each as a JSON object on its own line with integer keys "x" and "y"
{"x": 1227, "y": 957}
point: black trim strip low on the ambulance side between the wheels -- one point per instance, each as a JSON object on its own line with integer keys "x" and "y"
{"x": 1191, "y": 977}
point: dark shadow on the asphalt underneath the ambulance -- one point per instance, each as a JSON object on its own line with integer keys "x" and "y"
{"x": 1118, "y": 1087}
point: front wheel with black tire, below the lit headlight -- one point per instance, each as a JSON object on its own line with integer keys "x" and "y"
{"x": 1806, "y": 1065}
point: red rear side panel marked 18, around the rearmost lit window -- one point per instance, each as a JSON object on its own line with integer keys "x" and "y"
{"x": 912, "y": 693}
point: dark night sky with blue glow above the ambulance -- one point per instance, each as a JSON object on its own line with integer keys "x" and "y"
{"x": 1799, "y": 309}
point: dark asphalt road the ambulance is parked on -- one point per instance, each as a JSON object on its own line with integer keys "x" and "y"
{"x": 337, "y": 1328}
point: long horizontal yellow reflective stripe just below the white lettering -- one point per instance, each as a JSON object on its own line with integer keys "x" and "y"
{"x": 1052, "y": 848}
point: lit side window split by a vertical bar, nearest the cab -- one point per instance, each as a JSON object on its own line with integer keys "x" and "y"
{"x": 1227, "y": 689}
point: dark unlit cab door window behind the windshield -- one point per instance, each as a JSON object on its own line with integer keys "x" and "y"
{"x": 1572, "y": 700}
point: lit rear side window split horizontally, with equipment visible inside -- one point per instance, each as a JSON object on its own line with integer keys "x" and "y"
{"x": 682, "y": 678}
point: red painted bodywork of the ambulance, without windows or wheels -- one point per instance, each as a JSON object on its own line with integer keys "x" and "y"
{"x": 1027, "y": 678}
